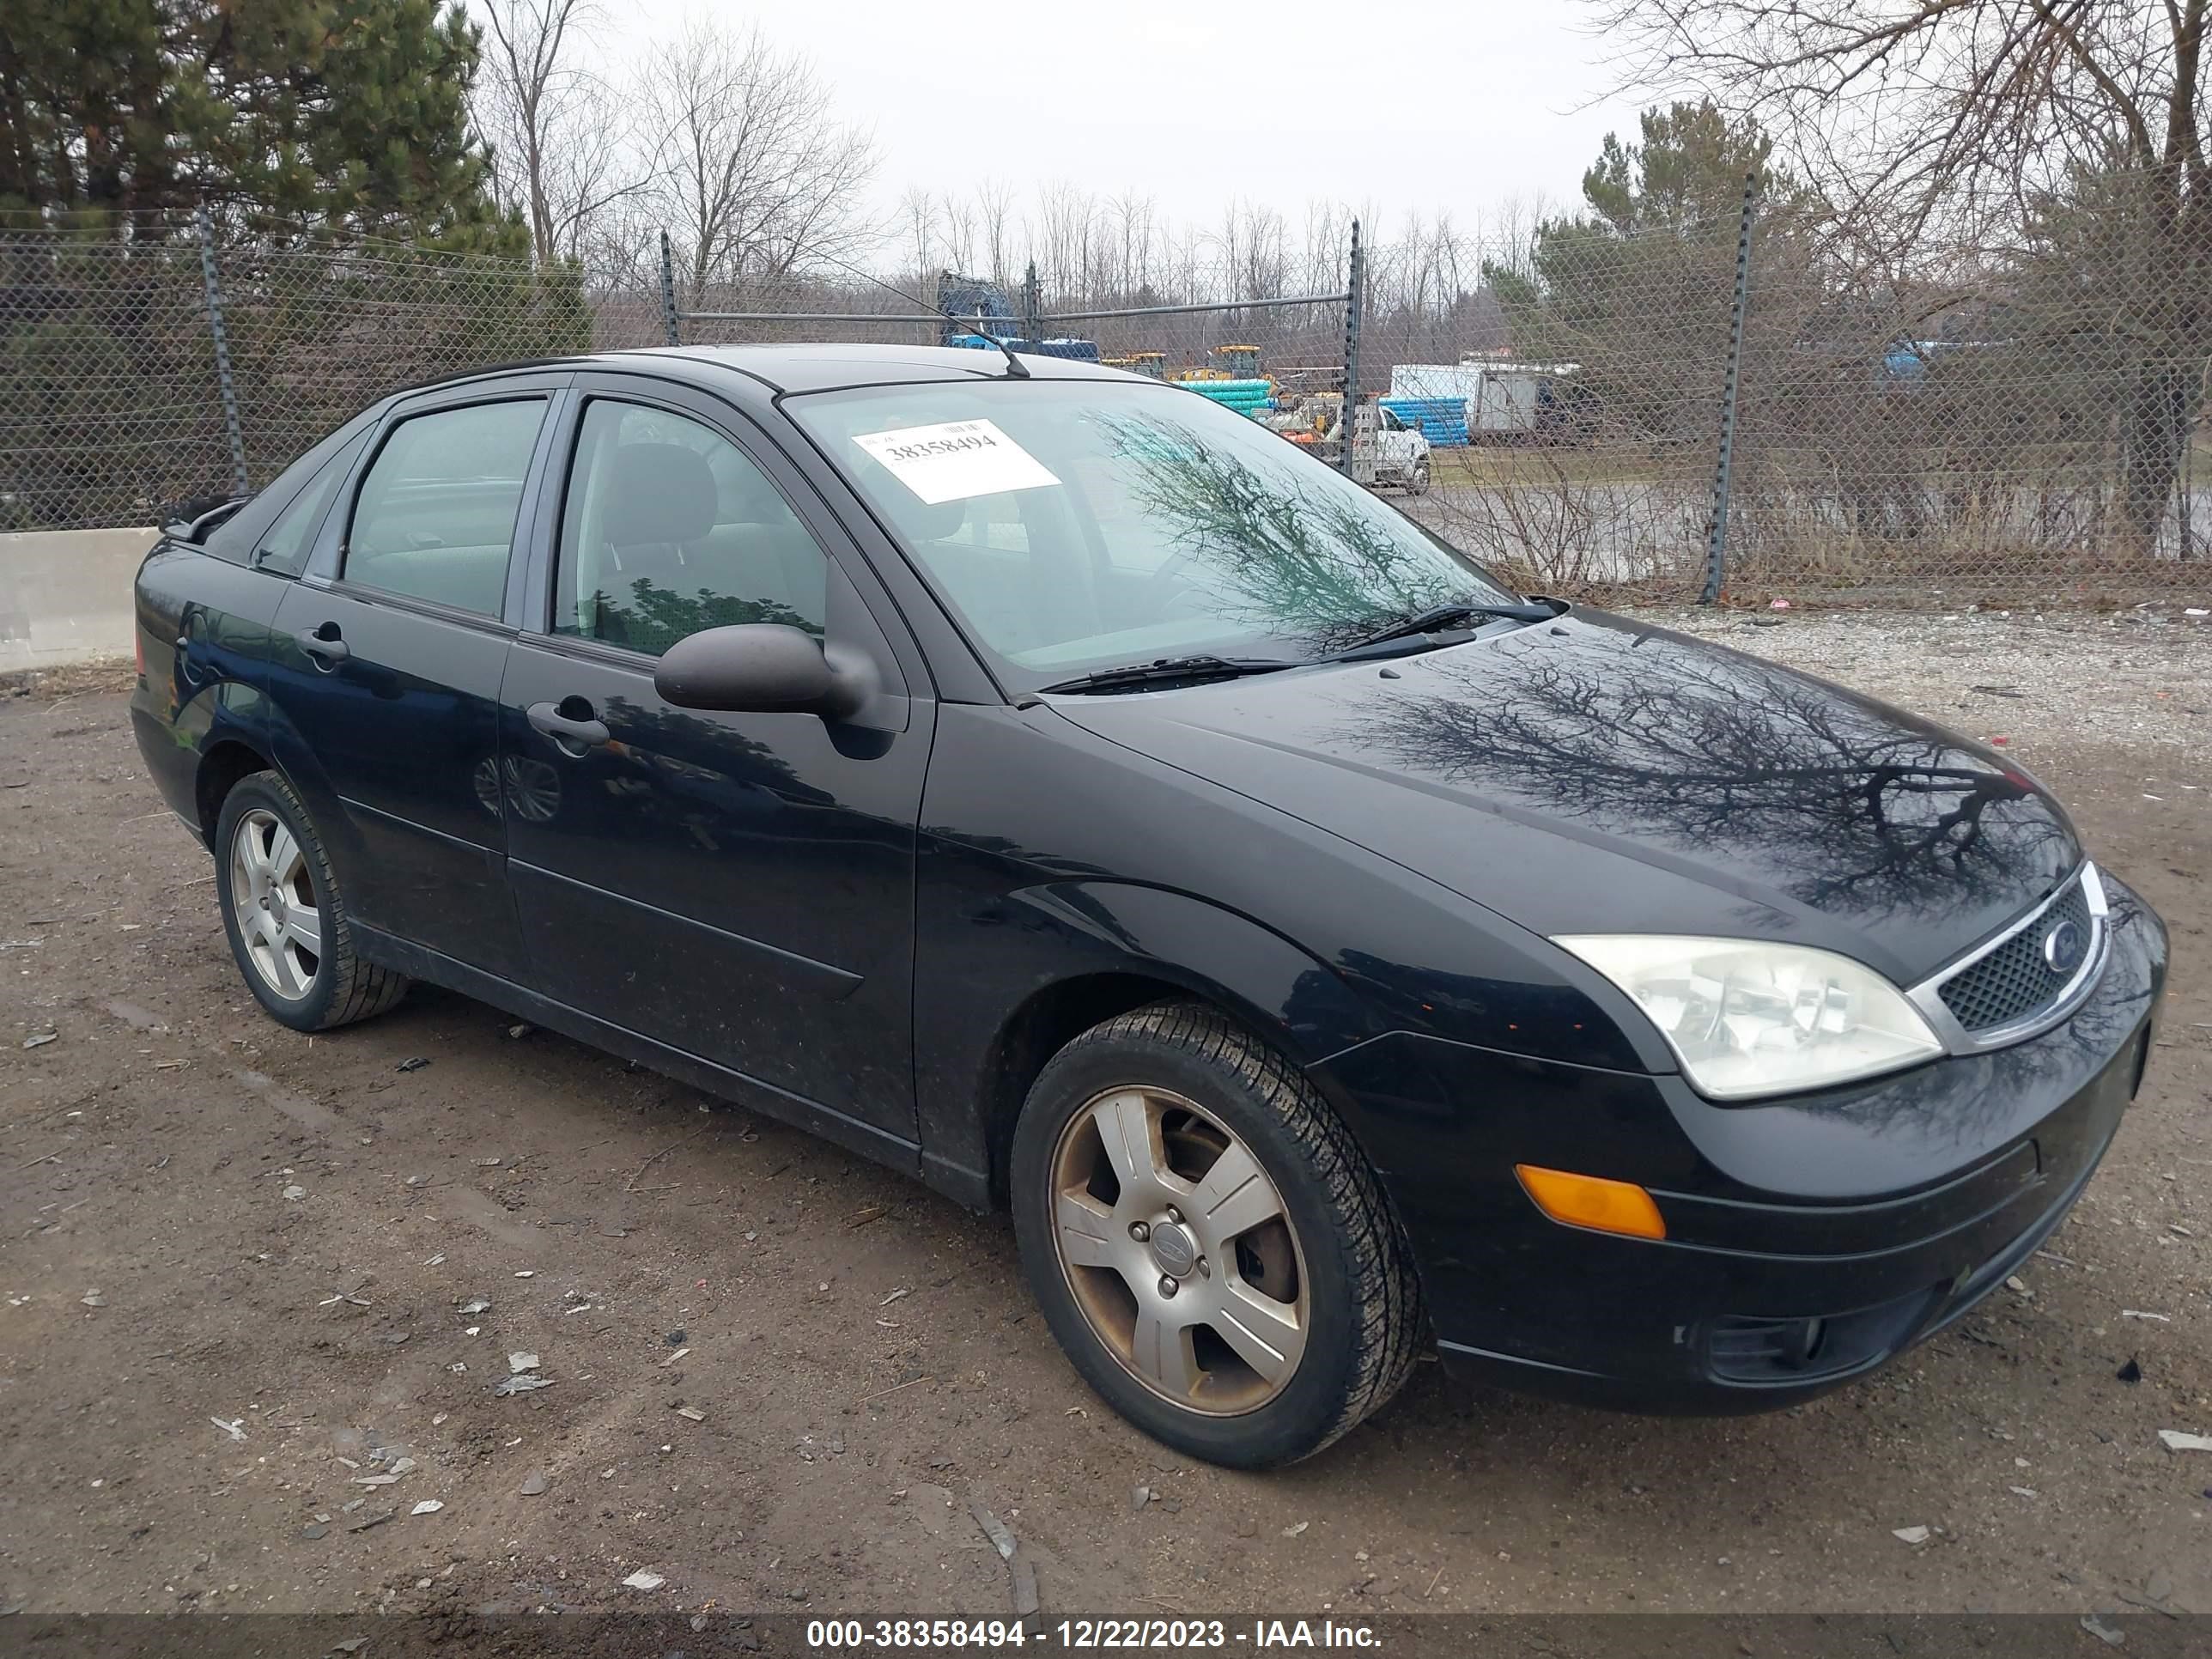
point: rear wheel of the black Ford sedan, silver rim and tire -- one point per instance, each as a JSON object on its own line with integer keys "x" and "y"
{"x": 275, "y": 888}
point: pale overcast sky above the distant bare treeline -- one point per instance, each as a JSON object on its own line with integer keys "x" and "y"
{"x": 1399, "y": 105}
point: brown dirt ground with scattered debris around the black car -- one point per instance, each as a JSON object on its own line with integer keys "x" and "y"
{"x": 236, "y": 1266}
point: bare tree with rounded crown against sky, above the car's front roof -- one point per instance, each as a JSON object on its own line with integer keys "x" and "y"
{"x": 753, "y": 176}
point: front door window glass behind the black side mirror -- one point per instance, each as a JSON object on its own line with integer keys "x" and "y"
{"x": 669, "y": 530}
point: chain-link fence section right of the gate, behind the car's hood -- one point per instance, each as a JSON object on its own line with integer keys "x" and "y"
{"x": 2010, "y": 419}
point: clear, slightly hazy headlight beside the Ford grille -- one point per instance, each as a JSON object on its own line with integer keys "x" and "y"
{"x": 1753, "y": 1019}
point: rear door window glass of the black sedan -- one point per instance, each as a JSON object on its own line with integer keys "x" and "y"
{"x": 437, "y": 512}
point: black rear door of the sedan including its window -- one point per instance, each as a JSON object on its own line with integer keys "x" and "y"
{"x": 388, "y": 662}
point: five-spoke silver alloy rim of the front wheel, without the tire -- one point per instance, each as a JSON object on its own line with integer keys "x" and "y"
{"x": 1178, "y": 1251}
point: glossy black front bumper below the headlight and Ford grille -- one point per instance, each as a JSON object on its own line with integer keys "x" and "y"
{"x": 1808, "y": 1240}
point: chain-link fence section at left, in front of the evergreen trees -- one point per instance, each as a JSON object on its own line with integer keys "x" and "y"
{"x": 112, "y": 386}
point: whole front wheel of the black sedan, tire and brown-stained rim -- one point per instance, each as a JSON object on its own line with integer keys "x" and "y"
{"x": 1196, "y": 1366}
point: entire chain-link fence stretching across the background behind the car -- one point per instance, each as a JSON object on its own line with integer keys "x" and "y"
{"x": 2007, "y": 421}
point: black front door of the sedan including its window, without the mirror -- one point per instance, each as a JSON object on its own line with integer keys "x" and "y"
{"x": 738, "y": 888}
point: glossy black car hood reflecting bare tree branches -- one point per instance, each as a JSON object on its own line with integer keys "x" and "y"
{"x": 1605, "y": 778}
